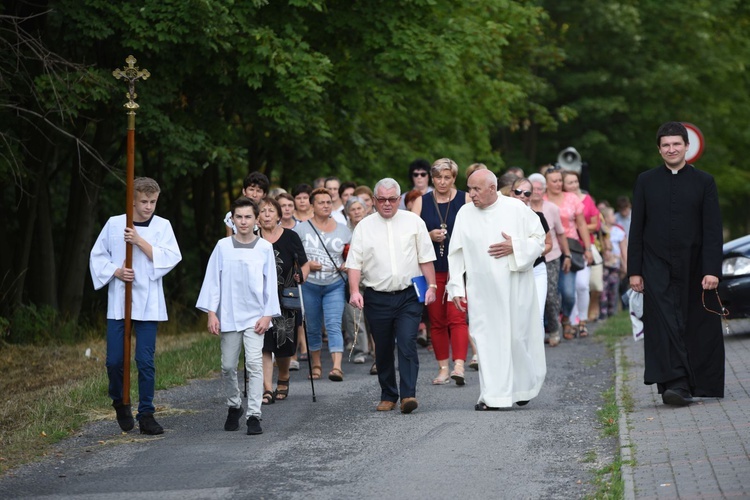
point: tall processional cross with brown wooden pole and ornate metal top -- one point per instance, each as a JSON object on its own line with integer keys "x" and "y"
{"x": 130, "y": 74}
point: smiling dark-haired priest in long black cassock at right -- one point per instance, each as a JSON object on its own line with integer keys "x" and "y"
{"x": 674, "y": 254}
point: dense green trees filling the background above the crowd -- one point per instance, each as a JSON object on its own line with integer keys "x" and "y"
{"x": 300, "y": 89}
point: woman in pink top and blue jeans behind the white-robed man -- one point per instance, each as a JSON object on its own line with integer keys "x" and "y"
{"x": 574, "y": 223}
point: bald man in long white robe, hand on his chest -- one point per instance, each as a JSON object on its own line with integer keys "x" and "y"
{"x": 494, "y": 244}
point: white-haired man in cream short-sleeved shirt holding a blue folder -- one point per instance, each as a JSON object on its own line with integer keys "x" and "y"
{"x": 388, "y": 249}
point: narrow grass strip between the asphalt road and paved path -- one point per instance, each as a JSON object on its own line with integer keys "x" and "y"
{"x": 608, "y": 479}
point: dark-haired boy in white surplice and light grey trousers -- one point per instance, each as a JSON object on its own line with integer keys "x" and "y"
{"x": 240, "y": 295}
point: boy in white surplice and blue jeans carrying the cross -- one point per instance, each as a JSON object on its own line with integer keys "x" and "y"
{"x": 155, "y": 253}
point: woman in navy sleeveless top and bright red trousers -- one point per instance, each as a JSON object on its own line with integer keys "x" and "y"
{"x": 448, "y": 325}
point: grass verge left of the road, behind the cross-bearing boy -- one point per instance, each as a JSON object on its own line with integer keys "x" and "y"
{"x": 49, "y": 392}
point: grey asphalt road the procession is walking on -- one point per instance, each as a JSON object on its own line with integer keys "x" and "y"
{"x": 340, "y": 447}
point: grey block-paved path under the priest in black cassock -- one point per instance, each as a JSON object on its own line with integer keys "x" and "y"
{"x": 701, "y": 451}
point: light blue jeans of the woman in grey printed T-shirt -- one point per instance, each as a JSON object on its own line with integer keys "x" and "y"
{"x": 324, "y": 303}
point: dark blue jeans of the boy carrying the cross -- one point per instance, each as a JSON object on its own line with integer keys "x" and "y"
{"x": 145, "y": 346}
